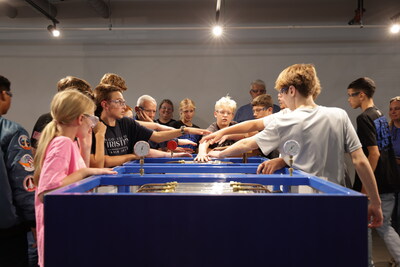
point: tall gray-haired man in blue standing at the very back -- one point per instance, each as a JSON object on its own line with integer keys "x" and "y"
{"x": 245, "y": 112}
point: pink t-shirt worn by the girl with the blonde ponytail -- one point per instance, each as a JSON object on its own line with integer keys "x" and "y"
{"x": 61, "y": 159}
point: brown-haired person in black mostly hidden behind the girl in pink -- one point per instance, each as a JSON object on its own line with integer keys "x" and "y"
{"x": 66, "y": 82}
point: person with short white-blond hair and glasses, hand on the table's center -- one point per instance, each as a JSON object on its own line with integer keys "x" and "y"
{"x": 224, "y": 111}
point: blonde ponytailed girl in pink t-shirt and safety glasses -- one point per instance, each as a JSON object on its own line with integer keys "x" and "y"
{"x": 63, "y": 152}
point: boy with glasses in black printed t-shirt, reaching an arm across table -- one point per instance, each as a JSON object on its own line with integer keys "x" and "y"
{"x": 122, "y": 133}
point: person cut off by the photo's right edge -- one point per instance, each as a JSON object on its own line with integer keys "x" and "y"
{"x": 394, "y": 114}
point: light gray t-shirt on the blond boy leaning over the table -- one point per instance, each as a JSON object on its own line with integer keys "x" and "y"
{"x": 324, "y": 135}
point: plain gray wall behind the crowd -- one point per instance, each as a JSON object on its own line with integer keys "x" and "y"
{"x": 203, "y": 72}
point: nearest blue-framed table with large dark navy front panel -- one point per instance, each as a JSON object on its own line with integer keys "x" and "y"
{"x": 328, "y": 228}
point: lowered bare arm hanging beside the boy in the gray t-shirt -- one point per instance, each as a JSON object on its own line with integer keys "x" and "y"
{"x": 367, "y": 177}
